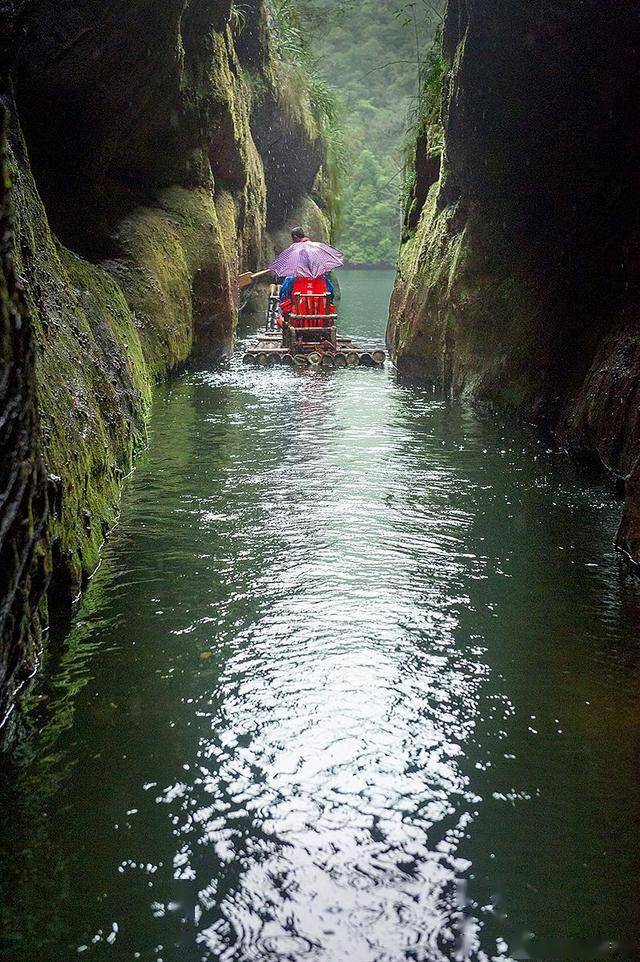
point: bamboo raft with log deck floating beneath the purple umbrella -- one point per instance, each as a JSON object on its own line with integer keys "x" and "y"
{"x": 316, "y": 345}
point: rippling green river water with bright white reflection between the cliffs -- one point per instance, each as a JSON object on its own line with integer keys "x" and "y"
{"x": 357, "y": 681}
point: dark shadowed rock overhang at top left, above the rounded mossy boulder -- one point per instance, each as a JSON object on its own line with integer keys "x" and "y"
{"x": 118, "y": 103}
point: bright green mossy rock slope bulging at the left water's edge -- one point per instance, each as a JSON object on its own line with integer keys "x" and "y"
{"x": 93, "y": 387}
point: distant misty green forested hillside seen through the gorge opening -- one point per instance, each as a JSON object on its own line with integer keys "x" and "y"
{"x": 369, "y": 51}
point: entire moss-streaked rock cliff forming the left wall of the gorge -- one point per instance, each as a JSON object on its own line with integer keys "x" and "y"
{"x": 139, "y": 194}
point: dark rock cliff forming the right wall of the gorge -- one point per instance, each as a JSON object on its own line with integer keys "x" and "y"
{"x": 515, "y": 284}
